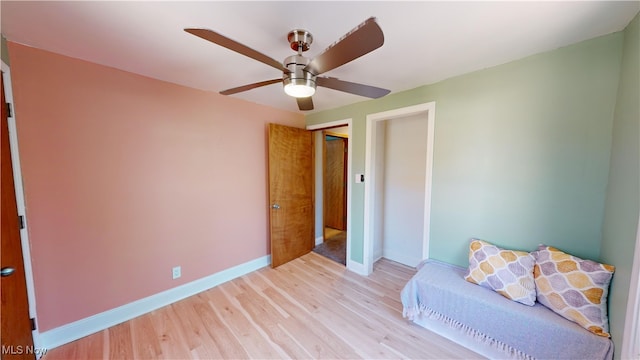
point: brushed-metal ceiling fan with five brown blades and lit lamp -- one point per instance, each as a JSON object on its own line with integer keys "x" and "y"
{"x": 300, "y": 75}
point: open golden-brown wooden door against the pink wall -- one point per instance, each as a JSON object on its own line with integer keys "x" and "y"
{"x": 291, "y": 196}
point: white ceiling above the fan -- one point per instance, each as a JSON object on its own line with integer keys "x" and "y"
{"x": 425, "y": 41}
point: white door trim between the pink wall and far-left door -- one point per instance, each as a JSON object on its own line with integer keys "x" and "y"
{"x": 19, "y": 190}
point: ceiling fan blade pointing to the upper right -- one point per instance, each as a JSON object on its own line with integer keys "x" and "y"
{"x": 365, "y": 38}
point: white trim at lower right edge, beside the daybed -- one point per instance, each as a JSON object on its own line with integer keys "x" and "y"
{"x": 631, "y": 335}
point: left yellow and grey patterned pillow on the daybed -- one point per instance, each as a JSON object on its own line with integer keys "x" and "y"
{"x": 508, "y": 272}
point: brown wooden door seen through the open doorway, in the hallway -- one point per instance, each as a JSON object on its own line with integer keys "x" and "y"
{"x": 335, "y": 179}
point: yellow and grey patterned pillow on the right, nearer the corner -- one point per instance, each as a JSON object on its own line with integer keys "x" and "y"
{"x": 574, "y": 288}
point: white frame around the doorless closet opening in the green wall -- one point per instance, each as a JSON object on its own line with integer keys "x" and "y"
{"x": 427, "y": 112}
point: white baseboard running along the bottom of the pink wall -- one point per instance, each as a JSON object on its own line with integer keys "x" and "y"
{"x": 87, "y": 326}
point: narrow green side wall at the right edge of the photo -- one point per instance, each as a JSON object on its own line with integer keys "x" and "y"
{"x": 623, "y": 194}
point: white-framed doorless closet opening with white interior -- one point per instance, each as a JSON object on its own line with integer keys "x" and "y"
{"x": 398, "y": 168}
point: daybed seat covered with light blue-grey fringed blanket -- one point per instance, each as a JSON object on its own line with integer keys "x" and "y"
{"x": 439, "y": 298}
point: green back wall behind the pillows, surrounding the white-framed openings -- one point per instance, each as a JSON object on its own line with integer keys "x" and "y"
{"x": 521, "y": 153}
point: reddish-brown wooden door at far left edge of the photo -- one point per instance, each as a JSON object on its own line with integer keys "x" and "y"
{"x": 17, "y": 342}
